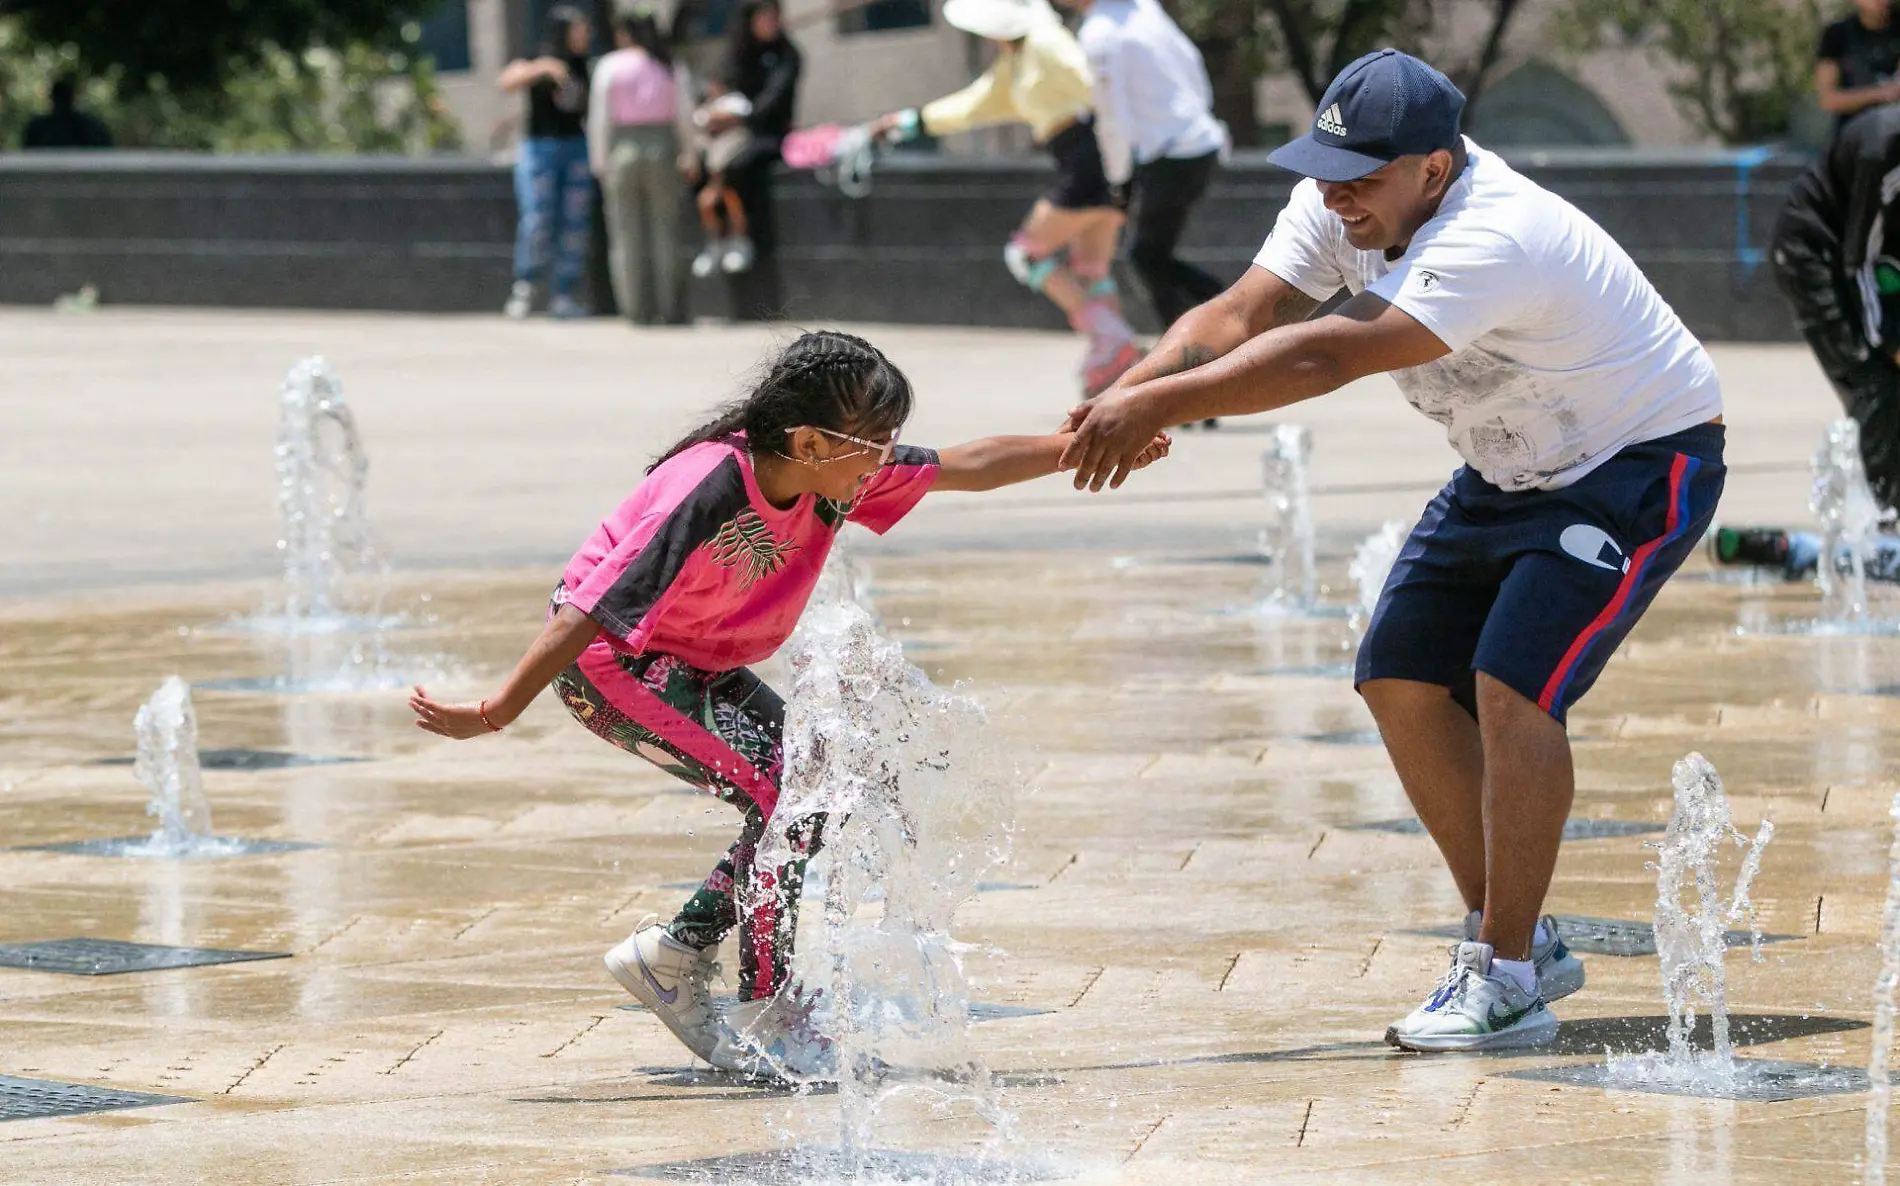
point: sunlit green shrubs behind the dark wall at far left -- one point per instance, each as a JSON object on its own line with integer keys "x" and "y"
{"x": 360, "y": 98}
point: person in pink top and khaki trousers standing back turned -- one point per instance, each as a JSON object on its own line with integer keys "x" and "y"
{"x": 637, "y": 123}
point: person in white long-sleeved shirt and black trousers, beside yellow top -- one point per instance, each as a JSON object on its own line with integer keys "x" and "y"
{"x": 1154, "y": 121}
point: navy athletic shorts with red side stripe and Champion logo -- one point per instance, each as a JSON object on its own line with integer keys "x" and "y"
{"x": 1538, "y": 588}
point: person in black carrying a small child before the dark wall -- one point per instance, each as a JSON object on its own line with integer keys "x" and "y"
{"x": 763, "y": 66}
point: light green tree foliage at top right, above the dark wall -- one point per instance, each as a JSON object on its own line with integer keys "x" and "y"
{"x": 1743, "y": 66}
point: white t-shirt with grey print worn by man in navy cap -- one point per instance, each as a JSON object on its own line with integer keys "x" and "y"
{"x": 1561, "y": 351}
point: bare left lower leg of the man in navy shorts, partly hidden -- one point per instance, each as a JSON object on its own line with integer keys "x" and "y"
{"x": 1439, "y": 757}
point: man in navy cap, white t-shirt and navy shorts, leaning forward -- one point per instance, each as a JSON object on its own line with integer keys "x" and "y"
{"x": 1591, "y": 429}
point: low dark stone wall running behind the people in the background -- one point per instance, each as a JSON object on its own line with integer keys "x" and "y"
{"x": 922, "y": 248}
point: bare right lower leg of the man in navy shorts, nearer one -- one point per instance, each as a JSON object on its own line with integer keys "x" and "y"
{"x": 1529, "y": 786}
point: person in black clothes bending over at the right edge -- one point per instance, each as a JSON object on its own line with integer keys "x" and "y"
{"x": 1836, "y": 259}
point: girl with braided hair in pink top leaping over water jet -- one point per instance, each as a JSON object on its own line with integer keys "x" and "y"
{"x": 698, "y": 575}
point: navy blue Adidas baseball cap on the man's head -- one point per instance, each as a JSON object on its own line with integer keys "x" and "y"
{"x": 1382, "y": 107}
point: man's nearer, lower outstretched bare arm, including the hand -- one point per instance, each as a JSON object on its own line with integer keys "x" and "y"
{"x": 1280, "y": 368}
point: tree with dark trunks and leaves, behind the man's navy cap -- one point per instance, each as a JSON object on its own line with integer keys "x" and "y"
{"x": 1316, "y": 39}
